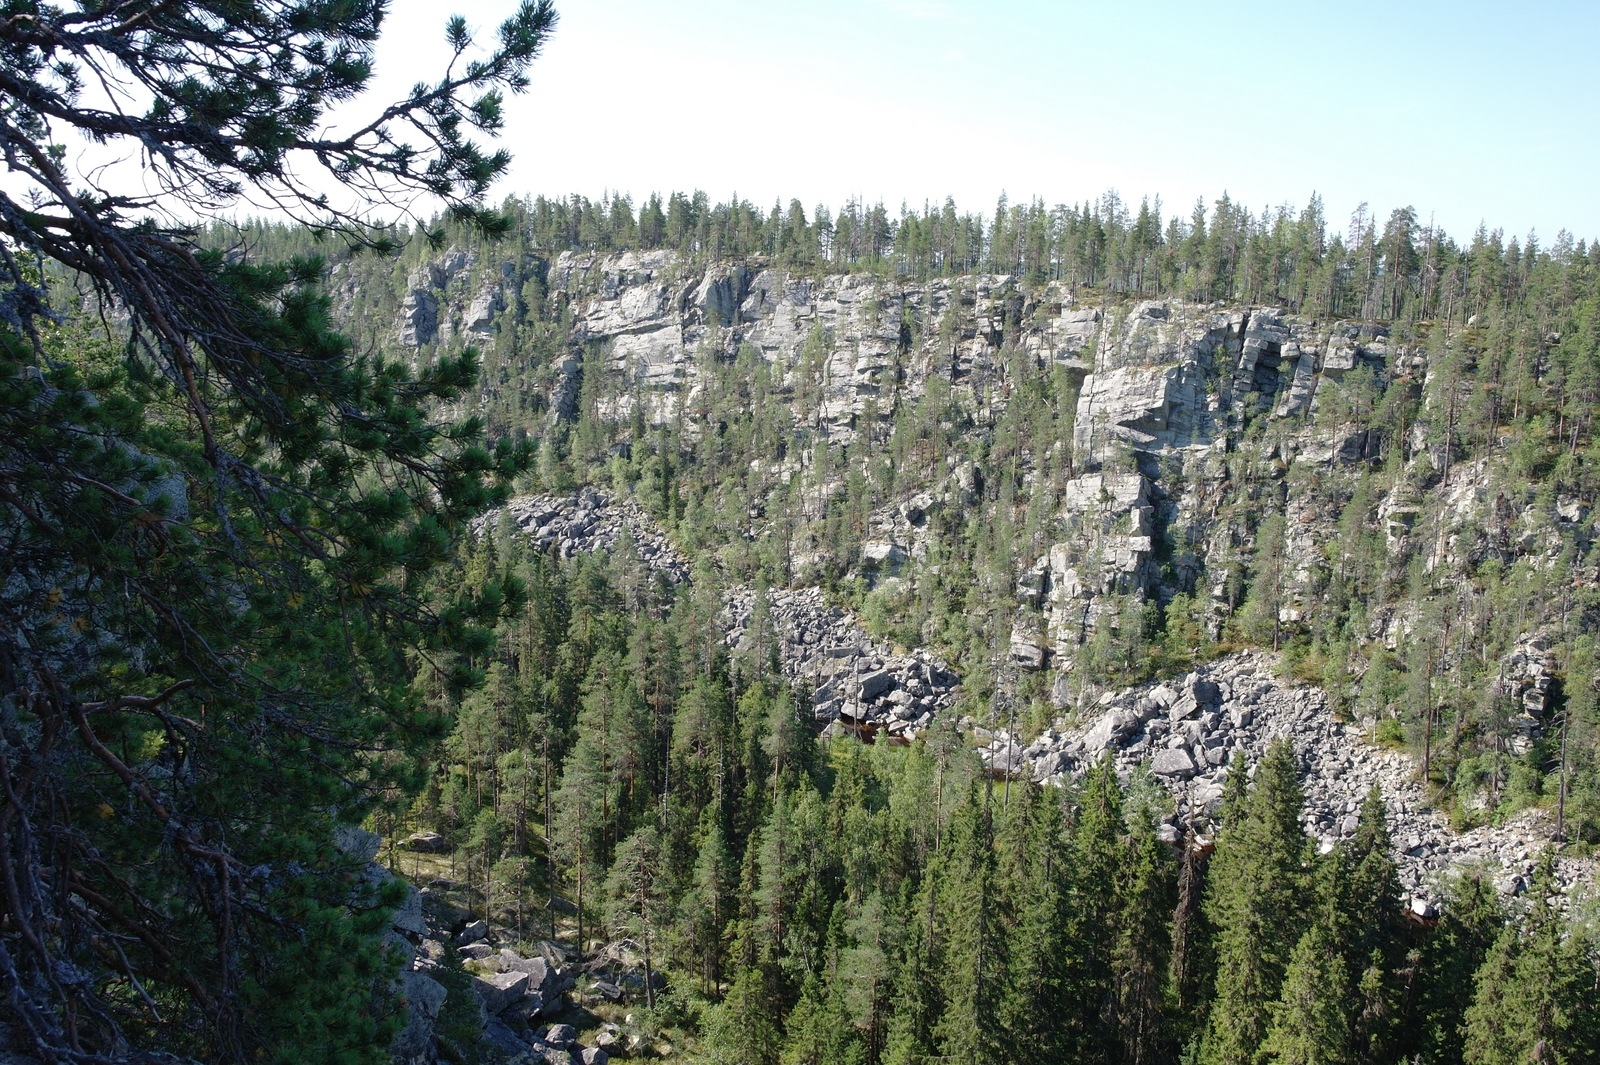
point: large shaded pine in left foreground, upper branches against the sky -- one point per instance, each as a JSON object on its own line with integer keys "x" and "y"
{"x": 241, "y": 513}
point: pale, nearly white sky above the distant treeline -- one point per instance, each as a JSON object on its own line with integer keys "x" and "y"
{"x": 1470, "y": 113}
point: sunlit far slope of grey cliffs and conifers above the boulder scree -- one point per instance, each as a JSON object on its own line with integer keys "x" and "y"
{"x": 1046, "y": 458}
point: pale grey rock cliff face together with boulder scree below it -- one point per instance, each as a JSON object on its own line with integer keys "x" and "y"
{"x": 1215, "y": 458}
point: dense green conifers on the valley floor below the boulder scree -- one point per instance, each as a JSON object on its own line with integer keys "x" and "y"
{"x": 833, "y": 901}
